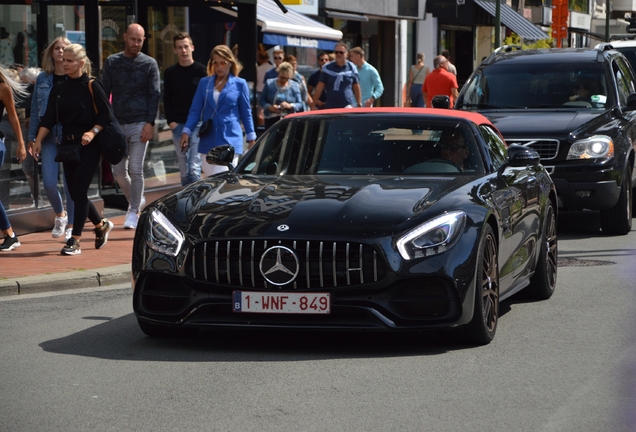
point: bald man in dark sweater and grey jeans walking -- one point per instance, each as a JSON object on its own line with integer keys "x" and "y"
{"x": 132, "y": 78}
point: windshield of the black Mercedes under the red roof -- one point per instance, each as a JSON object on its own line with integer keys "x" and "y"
{"x": 363, "y": 145}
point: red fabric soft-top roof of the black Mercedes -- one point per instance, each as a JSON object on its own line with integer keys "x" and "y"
{"x": 432, "y": 112}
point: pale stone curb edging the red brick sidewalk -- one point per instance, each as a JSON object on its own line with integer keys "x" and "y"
{"x": 65, "y": 281}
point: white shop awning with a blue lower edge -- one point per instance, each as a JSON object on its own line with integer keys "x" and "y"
{"x": 291, "y": 28}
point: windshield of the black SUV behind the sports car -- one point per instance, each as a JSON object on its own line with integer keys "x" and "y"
{"x": 538, "y": 85}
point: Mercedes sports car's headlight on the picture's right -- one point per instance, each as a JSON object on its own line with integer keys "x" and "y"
{"x": 433, "y": 237}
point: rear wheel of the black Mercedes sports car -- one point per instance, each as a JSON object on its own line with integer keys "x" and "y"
{"x": 543, "y": 282}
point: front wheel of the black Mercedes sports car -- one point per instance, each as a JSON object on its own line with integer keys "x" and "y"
{"x": 482, "y": 328}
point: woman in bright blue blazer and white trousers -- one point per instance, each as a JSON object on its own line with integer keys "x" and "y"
{"x": 221, "y": 100}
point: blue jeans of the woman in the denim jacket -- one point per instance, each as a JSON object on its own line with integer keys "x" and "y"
{"x": 50, "y": 176}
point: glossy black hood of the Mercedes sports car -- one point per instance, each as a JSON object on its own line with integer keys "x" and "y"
{"x": 251, "y": 205}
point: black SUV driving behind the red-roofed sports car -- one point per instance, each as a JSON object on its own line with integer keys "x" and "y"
{"x": 577, "y": 108}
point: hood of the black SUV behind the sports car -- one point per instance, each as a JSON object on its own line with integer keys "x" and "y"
{"x": 541, "y": 122}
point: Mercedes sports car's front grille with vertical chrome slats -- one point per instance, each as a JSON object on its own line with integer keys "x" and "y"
{"x": 322, "y": 264}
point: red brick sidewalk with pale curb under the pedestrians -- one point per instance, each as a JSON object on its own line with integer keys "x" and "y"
{"x": 38, "y": 266}
